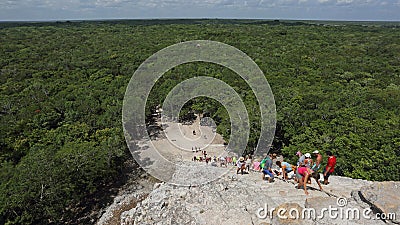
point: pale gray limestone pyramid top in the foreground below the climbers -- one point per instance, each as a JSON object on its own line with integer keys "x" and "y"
{"x": 248, "y": 200}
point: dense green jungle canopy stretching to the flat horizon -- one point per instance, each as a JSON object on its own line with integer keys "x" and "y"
{"x": 336, "y": 87}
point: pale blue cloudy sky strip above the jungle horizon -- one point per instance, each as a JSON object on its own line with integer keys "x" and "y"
{"x": 262, "y": 9}
